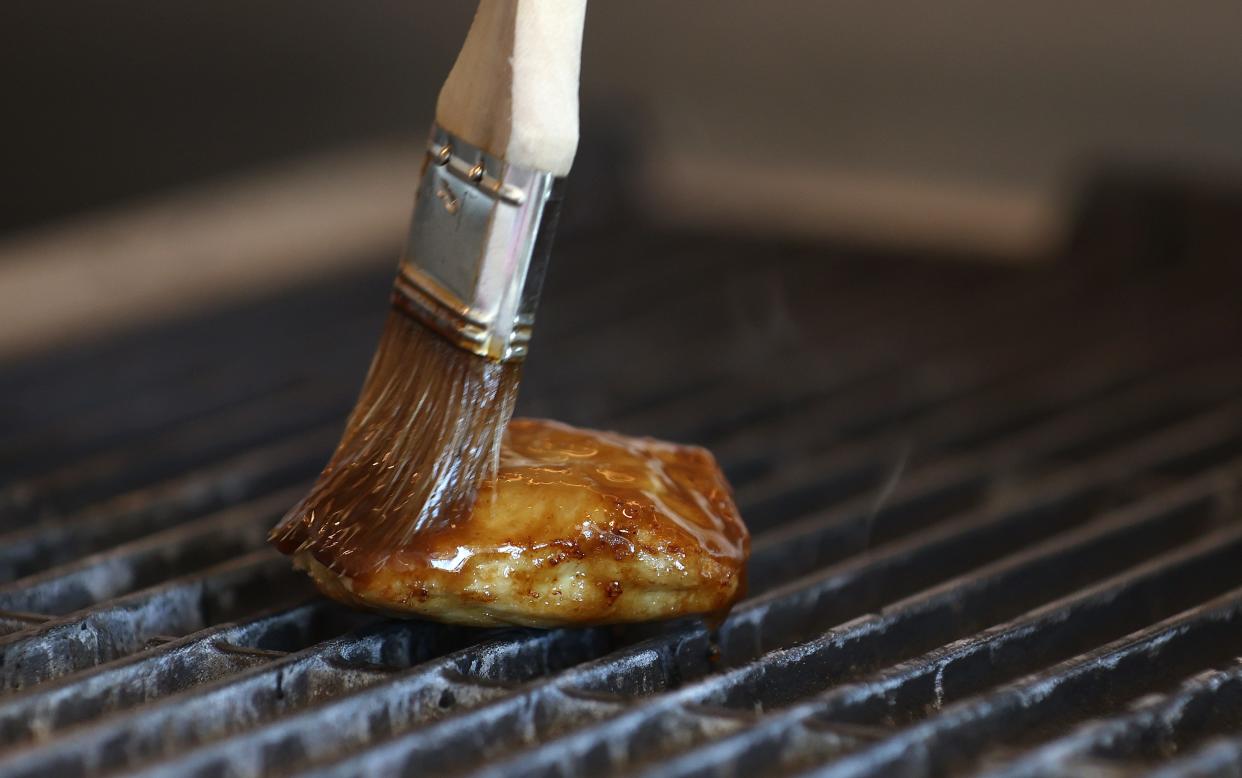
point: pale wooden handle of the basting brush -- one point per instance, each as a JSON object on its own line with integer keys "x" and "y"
{"x": 514, "y": 91}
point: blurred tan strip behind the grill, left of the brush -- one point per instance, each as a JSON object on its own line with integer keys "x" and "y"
{"x": 193, "y": 249}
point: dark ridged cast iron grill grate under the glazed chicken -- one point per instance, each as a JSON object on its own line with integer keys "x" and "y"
{"x": 994, "y": 514}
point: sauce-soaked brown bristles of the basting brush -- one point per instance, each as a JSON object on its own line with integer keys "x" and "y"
{"x": 425, "y": 432}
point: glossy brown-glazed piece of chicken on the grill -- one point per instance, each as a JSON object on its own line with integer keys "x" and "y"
{"x": 579, "y": 528}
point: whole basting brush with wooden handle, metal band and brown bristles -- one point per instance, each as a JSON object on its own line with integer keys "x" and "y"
{"x": 428, "y": 426}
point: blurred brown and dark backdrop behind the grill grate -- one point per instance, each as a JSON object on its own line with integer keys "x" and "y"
{"x": 285, "y": 136}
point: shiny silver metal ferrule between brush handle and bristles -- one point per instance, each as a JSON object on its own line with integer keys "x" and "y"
{"x": 478, "y": 249}
